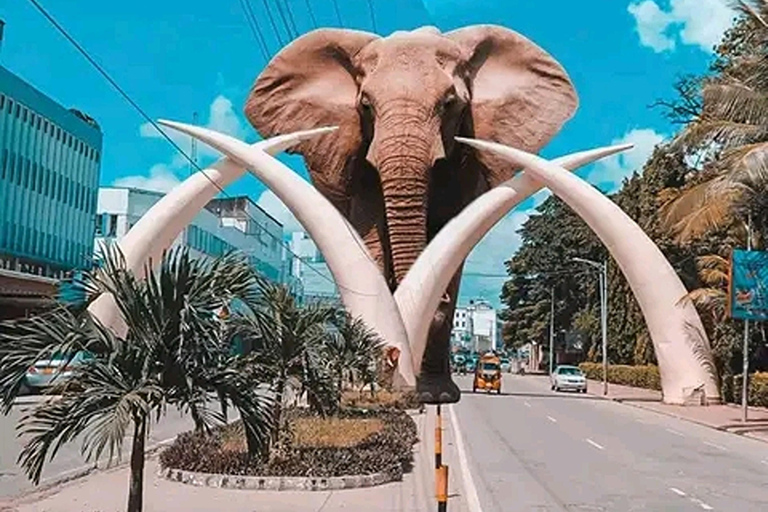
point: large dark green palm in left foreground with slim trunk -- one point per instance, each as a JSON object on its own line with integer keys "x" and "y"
{"x": 173, "y": 354}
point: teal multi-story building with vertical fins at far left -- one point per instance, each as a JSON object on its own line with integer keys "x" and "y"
{"x": 49, "y": 174}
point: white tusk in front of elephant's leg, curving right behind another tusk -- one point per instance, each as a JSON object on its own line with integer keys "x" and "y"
{"x": 419, "y": 293}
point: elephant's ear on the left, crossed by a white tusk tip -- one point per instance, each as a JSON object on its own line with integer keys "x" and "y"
{"x": 310, "y": 84}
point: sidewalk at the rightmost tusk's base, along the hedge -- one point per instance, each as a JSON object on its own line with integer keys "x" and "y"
{"x": 722, "y": 417}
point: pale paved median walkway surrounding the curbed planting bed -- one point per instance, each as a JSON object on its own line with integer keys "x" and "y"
{"x": 107, "y": 491}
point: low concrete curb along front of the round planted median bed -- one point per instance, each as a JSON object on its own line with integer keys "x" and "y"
{"x": 276, "y": 483}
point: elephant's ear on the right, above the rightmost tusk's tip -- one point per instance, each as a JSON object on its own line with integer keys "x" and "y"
{"x": 521, "y": 96}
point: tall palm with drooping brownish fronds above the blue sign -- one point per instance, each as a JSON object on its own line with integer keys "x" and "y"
{"x": 733, "y": 124}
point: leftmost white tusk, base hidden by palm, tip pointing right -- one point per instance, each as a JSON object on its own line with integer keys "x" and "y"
{"x": 156, "y": 230}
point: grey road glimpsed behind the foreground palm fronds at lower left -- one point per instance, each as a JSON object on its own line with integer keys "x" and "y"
{"x": 68, "y": 459}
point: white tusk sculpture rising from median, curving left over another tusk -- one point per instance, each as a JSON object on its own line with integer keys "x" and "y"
{"x": 362, "y": 286}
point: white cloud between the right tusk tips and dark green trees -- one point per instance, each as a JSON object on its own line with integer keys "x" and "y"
{"x": 610, "y": 172}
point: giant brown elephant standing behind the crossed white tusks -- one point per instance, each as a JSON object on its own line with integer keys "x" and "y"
{"x": 393, "y": 167}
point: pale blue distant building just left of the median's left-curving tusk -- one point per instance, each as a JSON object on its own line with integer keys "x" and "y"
{"x": 310, "y": 268}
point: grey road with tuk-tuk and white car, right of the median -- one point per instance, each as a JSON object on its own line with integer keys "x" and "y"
{"x": 531, "y": 449}
